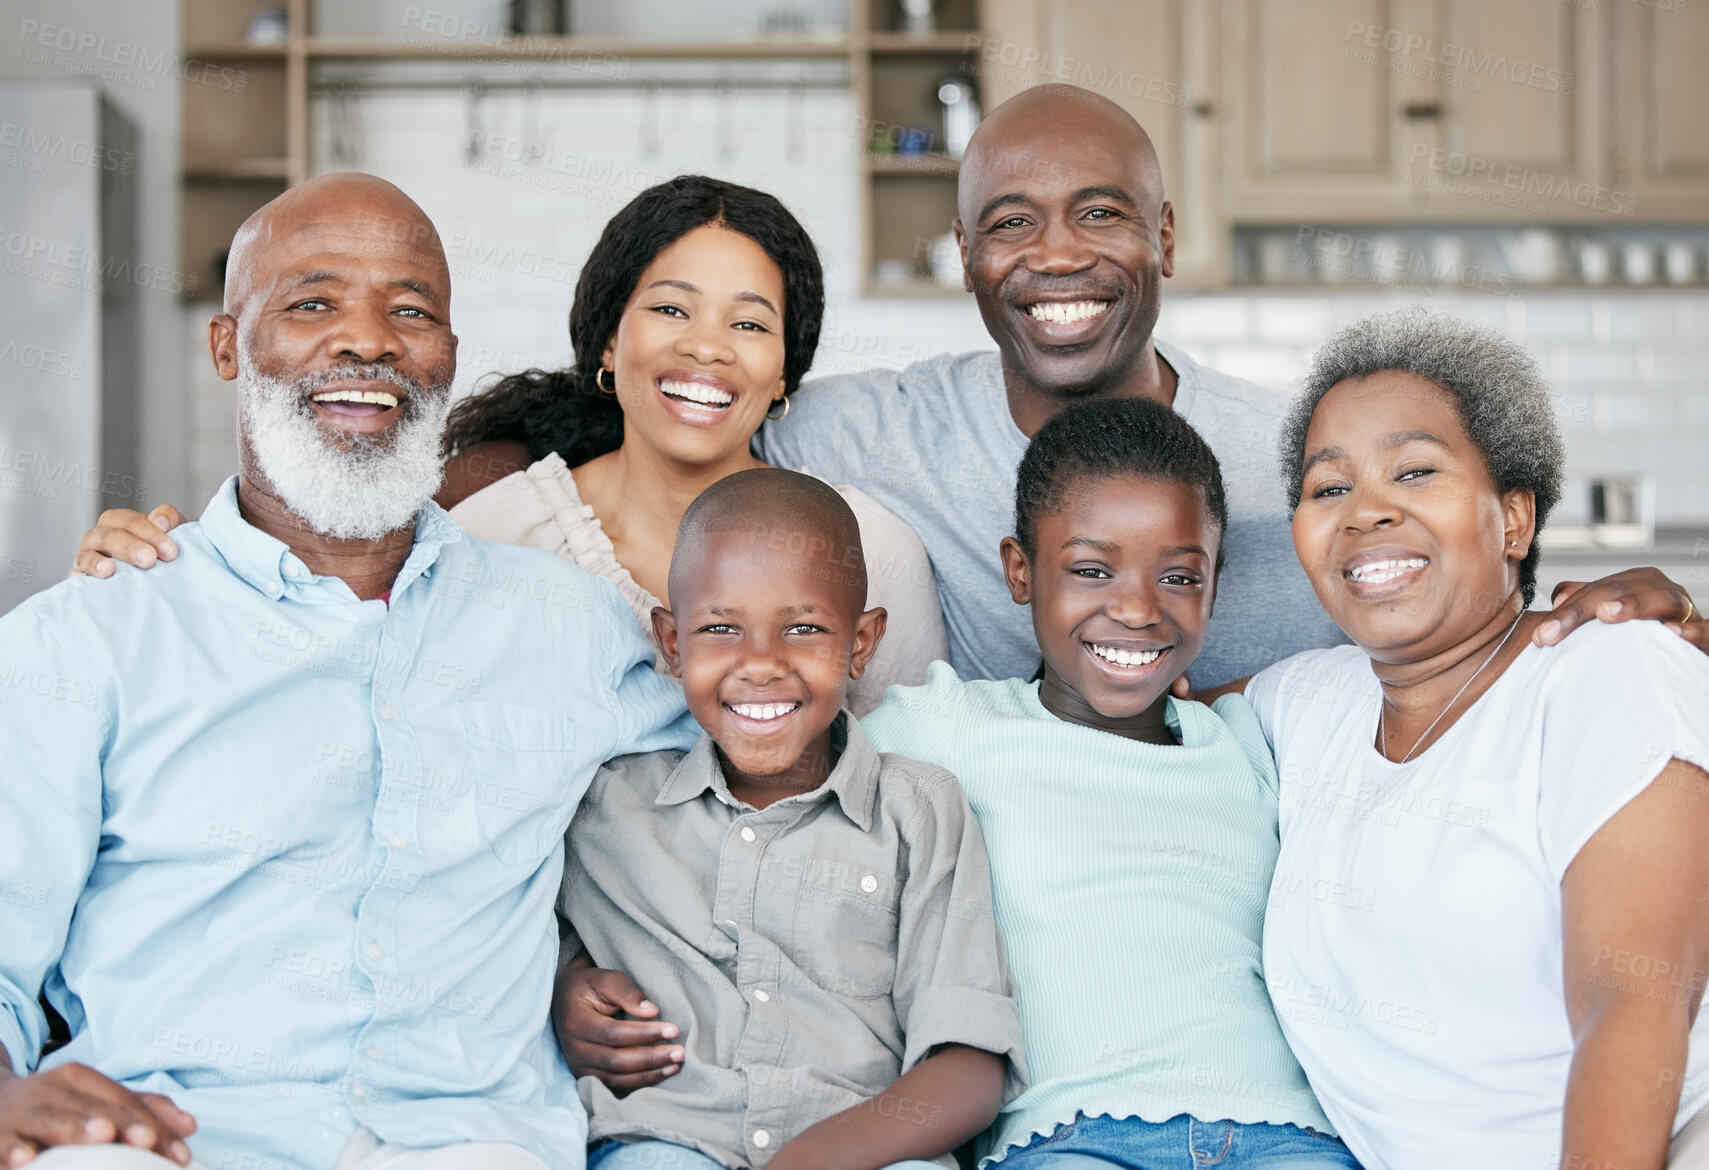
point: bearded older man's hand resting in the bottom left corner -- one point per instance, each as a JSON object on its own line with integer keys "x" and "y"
{"x": 74, "y": 1106}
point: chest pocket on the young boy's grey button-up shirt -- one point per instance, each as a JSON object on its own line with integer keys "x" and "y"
{"x": 847, "y": 927}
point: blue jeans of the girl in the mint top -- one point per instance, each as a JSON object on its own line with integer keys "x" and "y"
{"x": 1180, "y": 1144}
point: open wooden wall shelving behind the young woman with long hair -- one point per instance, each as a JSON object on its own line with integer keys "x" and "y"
{"x": 245, "y": 148}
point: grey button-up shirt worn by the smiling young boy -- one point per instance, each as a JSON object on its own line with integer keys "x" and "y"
{"x": 811, "y": 952}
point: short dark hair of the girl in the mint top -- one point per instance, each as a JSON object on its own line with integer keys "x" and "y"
{"x": 1105, "y": 440}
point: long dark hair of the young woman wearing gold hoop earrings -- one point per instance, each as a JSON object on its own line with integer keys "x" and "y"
{"x": 563, "y": 411}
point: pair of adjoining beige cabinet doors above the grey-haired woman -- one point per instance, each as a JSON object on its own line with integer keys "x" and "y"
{"x": 1418, "y": 110}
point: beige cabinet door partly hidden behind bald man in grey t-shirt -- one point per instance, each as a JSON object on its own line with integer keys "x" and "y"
{"x": 1156, "y": 59}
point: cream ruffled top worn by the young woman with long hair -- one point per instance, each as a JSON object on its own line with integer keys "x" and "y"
{"x": 541, "y": 508}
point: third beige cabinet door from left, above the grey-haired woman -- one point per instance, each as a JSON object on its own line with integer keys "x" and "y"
{"x": 1518, "y": 90}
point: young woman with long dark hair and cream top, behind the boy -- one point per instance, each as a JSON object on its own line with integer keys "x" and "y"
{"x": 695, "y": 320}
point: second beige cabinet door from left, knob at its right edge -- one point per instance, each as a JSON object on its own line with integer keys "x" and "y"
{"x": 1317, "y": 126}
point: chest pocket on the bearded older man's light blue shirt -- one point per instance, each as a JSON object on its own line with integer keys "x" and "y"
{"x": 522, "y": 776}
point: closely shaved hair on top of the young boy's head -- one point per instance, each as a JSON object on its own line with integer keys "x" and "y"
{"x": 787, "y": 515}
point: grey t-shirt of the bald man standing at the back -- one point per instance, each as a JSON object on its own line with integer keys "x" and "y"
{"x": 937, "y": 447}
